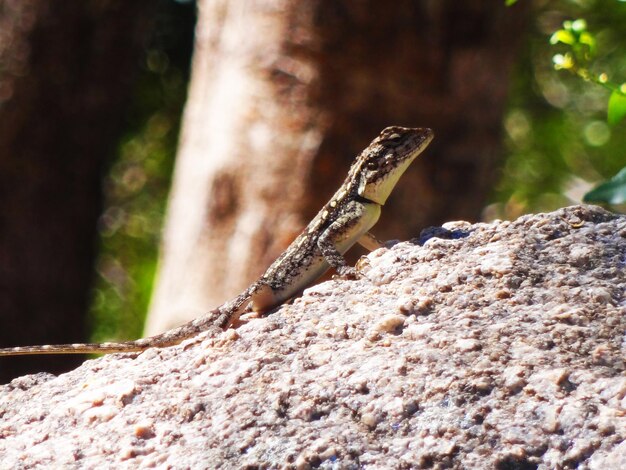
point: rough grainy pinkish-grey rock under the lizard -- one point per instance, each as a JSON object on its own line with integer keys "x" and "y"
{"x": 495, "y": 345}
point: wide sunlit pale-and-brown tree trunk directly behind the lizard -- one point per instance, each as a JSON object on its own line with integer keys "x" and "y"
{"x": 284, "y": 94}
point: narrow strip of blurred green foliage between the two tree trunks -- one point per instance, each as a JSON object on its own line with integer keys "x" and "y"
{"x": 138, "y": 181}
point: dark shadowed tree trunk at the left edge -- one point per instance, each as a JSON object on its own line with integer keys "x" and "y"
{"x": 65, "y": 79}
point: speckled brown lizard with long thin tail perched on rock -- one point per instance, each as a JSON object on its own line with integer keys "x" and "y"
{"x": 343, "y": 221}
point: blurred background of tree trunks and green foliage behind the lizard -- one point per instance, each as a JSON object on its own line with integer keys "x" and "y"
{"x": 157, "y": 155}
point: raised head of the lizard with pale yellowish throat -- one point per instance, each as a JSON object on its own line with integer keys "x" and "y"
{"x": 381, "y": 165}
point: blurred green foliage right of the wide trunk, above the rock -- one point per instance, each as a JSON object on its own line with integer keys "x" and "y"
{"x": 557, "y": 133}
